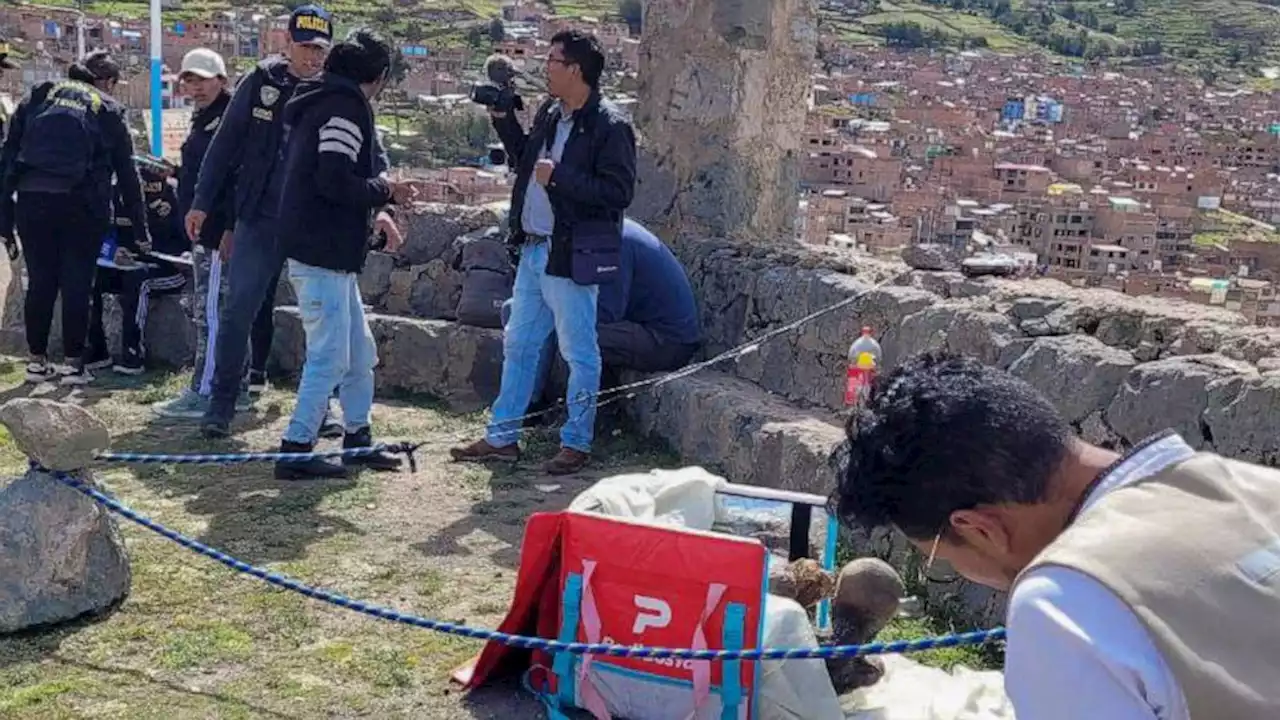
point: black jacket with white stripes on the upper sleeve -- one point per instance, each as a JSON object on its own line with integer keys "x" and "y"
{"x": 332, "y": 176}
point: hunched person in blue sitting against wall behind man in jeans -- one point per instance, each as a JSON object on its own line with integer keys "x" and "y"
{"x": 648, "y": 318}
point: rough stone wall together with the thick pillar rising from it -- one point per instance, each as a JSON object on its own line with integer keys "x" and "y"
{"x": 719, "y": 165}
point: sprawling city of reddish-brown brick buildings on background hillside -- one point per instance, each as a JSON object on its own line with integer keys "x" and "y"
{"x": 1069, "y": 140}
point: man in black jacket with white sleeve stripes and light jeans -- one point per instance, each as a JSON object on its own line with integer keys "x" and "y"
{"x": 333, "y": 188}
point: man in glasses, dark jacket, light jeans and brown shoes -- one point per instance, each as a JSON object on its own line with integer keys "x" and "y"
{"x": 568, "y": 224}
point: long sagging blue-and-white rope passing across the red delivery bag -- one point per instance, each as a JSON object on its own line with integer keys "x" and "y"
{"x": 523, "y": 641}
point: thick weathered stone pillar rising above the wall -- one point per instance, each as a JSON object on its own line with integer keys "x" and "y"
{"x": 725, "y": 88}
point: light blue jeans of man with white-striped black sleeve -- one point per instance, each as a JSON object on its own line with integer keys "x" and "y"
{"x": 341, "y": 352}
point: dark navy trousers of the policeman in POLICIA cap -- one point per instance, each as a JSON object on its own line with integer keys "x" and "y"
{"x": 253, "y": 272}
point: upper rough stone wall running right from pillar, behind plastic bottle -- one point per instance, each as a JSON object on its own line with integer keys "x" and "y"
{"x": 1121, "y": 367}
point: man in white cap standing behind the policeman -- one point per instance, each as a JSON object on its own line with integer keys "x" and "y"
{"x": 204, "y": 80}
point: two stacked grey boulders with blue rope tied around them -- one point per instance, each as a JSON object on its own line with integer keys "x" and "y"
{"x": 61, "y": 554}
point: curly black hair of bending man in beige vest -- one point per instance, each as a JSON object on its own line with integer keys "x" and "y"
{"x": 943, "y": 434}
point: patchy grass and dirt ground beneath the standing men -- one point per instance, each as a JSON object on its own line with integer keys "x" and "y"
{"x": 198, "y": 641}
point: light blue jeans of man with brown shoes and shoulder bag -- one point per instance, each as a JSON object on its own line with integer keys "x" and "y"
{"x": 542, "y": 304}
